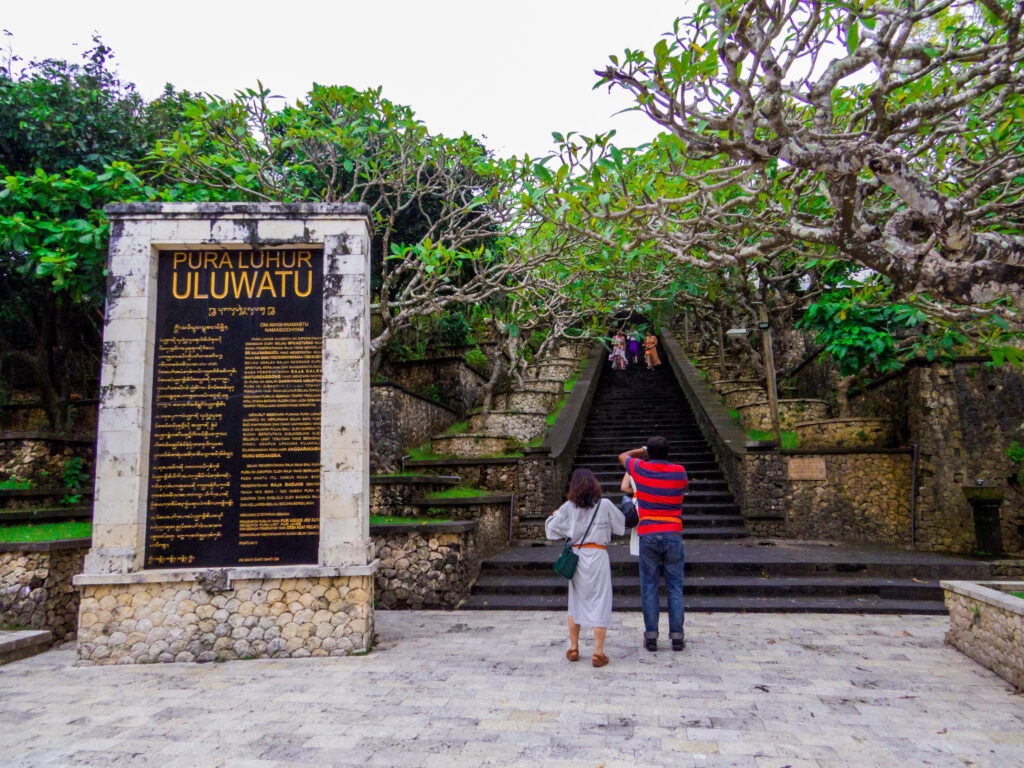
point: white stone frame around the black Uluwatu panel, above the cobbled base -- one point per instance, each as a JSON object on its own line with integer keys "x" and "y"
{"x": 139, "y": 233}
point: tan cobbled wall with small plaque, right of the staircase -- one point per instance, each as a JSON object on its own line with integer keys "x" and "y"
{"x": 865, "y": 498}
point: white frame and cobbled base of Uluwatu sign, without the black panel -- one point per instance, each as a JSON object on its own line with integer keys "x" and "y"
{"x": 317, "y": 607}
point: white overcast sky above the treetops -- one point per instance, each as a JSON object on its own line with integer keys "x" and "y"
{"x": 510, "y": 72}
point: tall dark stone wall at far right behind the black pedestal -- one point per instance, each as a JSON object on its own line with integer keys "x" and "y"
{"x": 963, "y": 417}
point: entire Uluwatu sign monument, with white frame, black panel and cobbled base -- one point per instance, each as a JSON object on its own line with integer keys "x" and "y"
{"x": 232, "y": 499}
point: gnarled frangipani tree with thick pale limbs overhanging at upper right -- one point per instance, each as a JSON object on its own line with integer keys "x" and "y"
{"x": 890, "y": 135}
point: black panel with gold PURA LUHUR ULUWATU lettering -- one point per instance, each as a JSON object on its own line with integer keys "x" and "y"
{"x": 235, "y": 447}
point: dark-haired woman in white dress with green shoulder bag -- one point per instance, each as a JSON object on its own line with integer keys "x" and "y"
{"x": 590, "y": 589}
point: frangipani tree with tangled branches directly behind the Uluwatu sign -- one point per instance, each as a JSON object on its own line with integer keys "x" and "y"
{"x": 439, "y": 205}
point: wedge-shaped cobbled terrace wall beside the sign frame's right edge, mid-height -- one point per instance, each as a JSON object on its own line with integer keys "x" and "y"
{"x": 401, "y": 420}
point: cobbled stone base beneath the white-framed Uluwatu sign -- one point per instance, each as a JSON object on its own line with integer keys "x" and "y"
{"x": 251, "y": 619}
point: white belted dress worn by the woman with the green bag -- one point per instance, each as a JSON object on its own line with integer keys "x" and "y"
{"x": 590, "y": 589}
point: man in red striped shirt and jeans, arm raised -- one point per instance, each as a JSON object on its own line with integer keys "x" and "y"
{"x": 661, "y": 487}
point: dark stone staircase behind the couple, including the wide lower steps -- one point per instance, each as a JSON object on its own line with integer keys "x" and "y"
{"x": 727, "y": 571}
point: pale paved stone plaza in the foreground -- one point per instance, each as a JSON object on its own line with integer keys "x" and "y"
{"x": 494, "y": 689}
